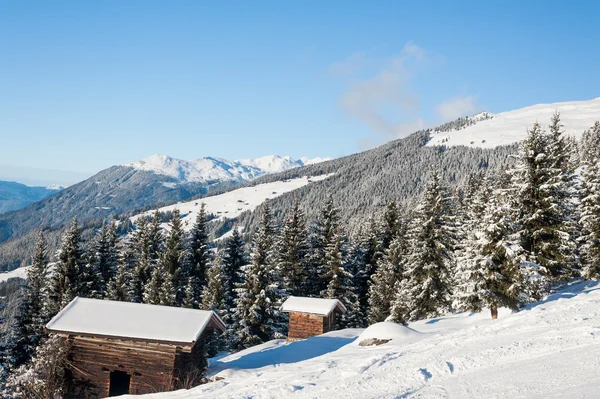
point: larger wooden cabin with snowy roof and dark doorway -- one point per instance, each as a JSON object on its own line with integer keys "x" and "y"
{"x": 118, "y": 348}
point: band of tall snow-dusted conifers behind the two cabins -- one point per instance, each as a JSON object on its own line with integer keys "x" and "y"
{"x": 504, "y": 238}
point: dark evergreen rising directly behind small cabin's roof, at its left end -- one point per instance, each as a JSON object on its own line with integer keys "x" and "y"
{"x": 292, "y": 253}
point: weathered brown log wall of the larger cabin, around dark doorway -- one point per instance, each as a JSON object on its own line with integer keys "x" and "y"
{"x": 150, "y": 364}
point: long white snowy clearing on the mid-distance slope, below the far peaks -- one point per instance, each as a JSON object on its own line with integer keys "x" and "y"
{"x": 231, "y": 204}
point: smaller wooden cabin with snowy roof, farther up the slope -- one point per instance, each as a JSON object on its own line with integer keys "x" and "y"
{"x": 311, "y": 316}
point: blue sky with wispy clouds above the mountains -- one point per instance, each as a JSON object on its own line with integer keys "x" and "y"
{"x": 89, "y": 84}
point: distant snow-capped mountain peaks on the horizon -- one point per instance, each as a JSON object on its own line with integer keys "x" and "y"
{"x": 207, "y": 170}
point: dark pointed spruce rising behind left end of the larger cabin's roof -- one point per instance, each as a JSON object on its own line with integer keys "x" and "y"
{"x": 64, "y": 282}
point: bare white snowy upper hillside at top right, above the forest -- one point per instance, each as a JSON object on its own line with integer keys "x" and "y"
{"x": 511, "y": 127}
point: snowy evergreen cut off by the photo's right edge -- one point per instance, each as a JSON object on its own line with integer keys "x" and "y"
{"x": 590, "y": 204}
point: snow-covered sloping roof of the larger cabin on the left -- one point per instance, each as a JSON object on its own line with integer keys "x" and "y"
{"x": 133, "y": 320}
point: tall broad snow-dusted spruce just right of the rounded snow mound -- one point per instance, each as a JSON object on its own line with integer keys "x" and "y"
{"x": 429, "y": 264}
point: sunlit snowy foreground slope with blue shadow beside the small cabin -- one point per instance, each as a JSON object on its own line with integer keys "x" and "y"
{"x": 549, "y": 350}
